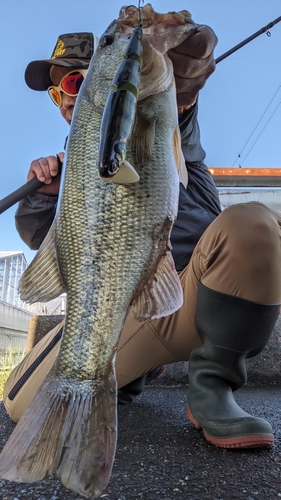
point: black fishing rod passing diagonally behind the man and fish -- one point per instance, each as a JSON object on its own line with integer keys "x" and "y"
{"x": 34, "y": 184}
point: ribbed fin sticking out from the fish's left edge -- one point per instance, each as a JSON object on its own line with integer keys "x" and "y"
{"x": 42, "y": 281}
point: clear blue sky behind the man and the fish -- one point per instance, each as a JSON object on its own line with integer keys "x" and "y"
{"x": 231, "y": 104}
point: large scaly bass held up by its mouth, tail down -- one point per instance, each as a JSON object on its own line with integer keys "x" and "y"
{"x": 109, "y": 249}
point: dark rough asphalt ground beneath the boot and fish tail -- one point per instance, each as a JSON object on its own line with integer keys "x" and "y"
{"x": 161, "y": 456}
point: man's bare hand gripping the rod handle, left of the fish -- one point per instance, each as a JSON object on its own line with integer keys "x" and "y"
{"x": 45, "y": 169}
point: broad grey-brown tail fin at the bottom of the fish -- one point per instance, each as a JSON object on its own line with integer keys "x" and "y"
{"x": 70, "y": 430}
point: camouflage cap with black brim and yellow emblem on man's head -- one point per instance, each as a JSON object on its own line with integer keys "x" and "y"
{"x": 73, "y": 50}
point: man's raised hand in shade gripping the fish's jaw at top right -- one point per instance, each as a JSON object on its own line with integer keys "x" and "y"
{"x": 193, "y": 63}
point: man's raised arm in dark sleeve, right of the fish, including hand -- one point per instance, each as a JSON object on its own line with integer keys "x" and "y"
{"x": 199, "y": 203}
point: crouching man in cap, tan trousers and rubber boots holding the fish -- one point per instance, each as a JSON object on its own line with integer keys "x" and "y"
{"x": 228, "y": 262}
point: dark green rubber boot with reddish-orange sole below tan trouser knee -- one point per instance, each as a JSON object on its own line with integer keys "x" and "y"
{"x": 231, "y": 330}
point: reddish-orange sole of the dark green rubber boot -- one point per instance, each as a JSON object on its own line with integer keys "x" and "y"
{"x": 252, "y": 441}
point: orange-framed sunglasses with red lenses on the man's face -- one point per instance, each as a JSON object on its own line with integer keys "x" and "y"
{"x": 70, "y": 84}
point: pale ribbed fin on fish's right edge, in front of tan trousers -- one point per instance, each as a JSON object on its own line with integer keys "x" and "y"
{"x": 162, "y": 295}
